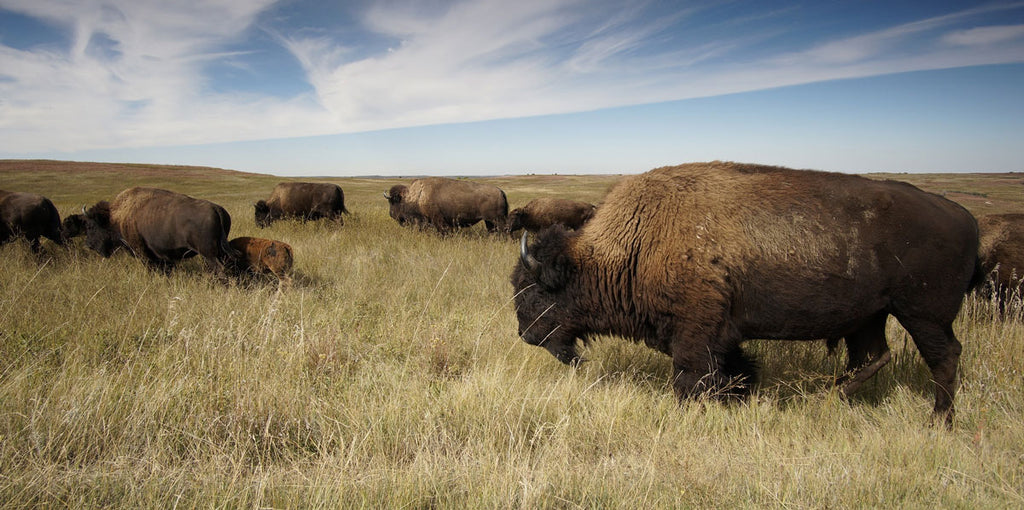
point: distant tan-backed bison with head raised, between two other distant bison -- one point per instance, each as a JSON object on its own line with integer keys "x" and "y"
{"x": 449, "y": 204}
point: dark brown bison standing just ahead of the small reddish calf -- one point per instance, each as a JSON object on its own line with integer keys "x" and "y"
{"x": 161, "y": 227}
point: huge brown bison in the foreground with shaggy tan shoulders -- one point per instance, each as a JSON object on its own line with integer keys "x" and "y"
{"x": 695, "y": 260}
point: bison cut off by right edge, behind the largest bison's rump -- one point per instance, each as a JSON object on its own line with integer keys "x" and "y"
{"x": 1002, "y": 256}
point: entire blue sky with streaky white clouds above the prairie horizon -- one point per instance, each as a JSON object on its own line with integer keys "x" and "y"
{"x": 479, "y": 88}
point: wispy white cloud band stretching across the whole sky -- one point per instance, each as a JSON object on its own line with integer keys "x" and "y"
{"x": 135, "y": 73}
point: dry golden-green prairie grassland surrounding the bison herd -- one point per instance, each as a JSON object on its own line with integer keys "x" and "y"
{"x": 392, "y": 375}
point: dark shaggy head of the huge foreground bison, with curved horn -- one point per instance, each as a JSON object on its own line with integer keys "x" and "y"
{"x": 544, "y": 299}
